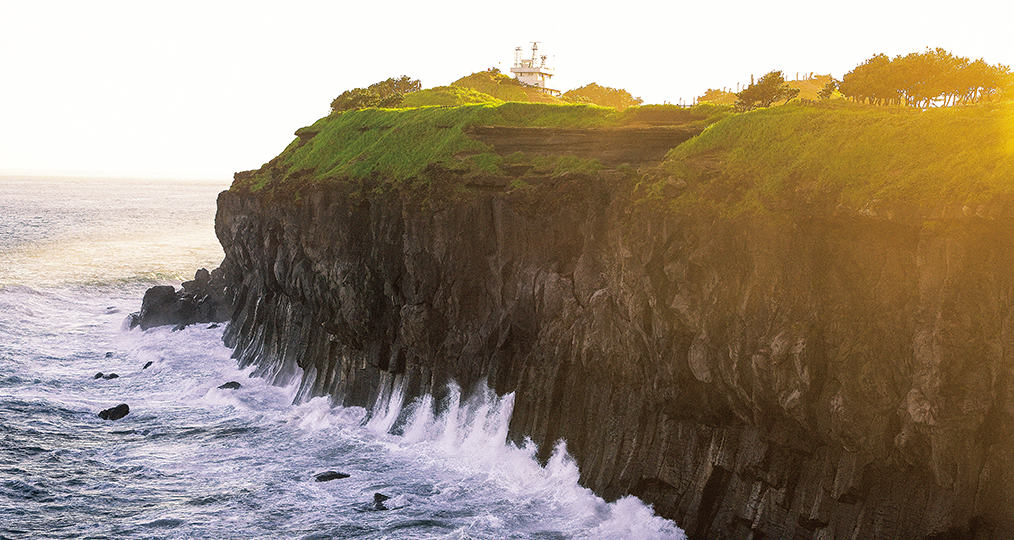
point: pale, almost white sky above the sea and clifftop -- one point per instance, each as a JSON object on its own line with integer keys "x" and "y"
{"x": 207, "y": 89}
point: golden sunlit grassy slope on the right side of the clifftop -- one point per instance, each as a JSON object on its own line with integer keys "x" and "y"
{"x": 849, "y": 155}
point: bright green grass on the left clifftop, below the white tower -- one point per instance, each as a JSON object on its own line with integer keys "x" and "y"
{"x": 398, "y": 147}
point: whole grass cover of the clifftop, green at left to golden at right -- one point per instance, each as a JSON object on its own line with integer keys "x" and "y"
{"x": 836, "y": 155}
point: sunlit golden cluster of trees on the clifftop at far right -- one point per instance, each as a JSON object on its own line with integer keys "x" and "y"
{"x": 933, "y": 78}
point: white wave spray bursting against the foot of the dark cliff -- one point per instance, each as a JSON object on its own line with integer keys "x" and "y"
{"x": 469, "y": 439}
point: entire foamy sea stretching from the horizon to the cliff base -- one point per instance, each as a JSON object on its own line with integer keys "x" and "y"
{"x": 193, "y": 460}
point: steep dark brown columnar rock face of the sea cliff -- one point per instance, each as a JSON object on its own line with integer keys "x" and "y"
{"x": 812, "y": 373}
